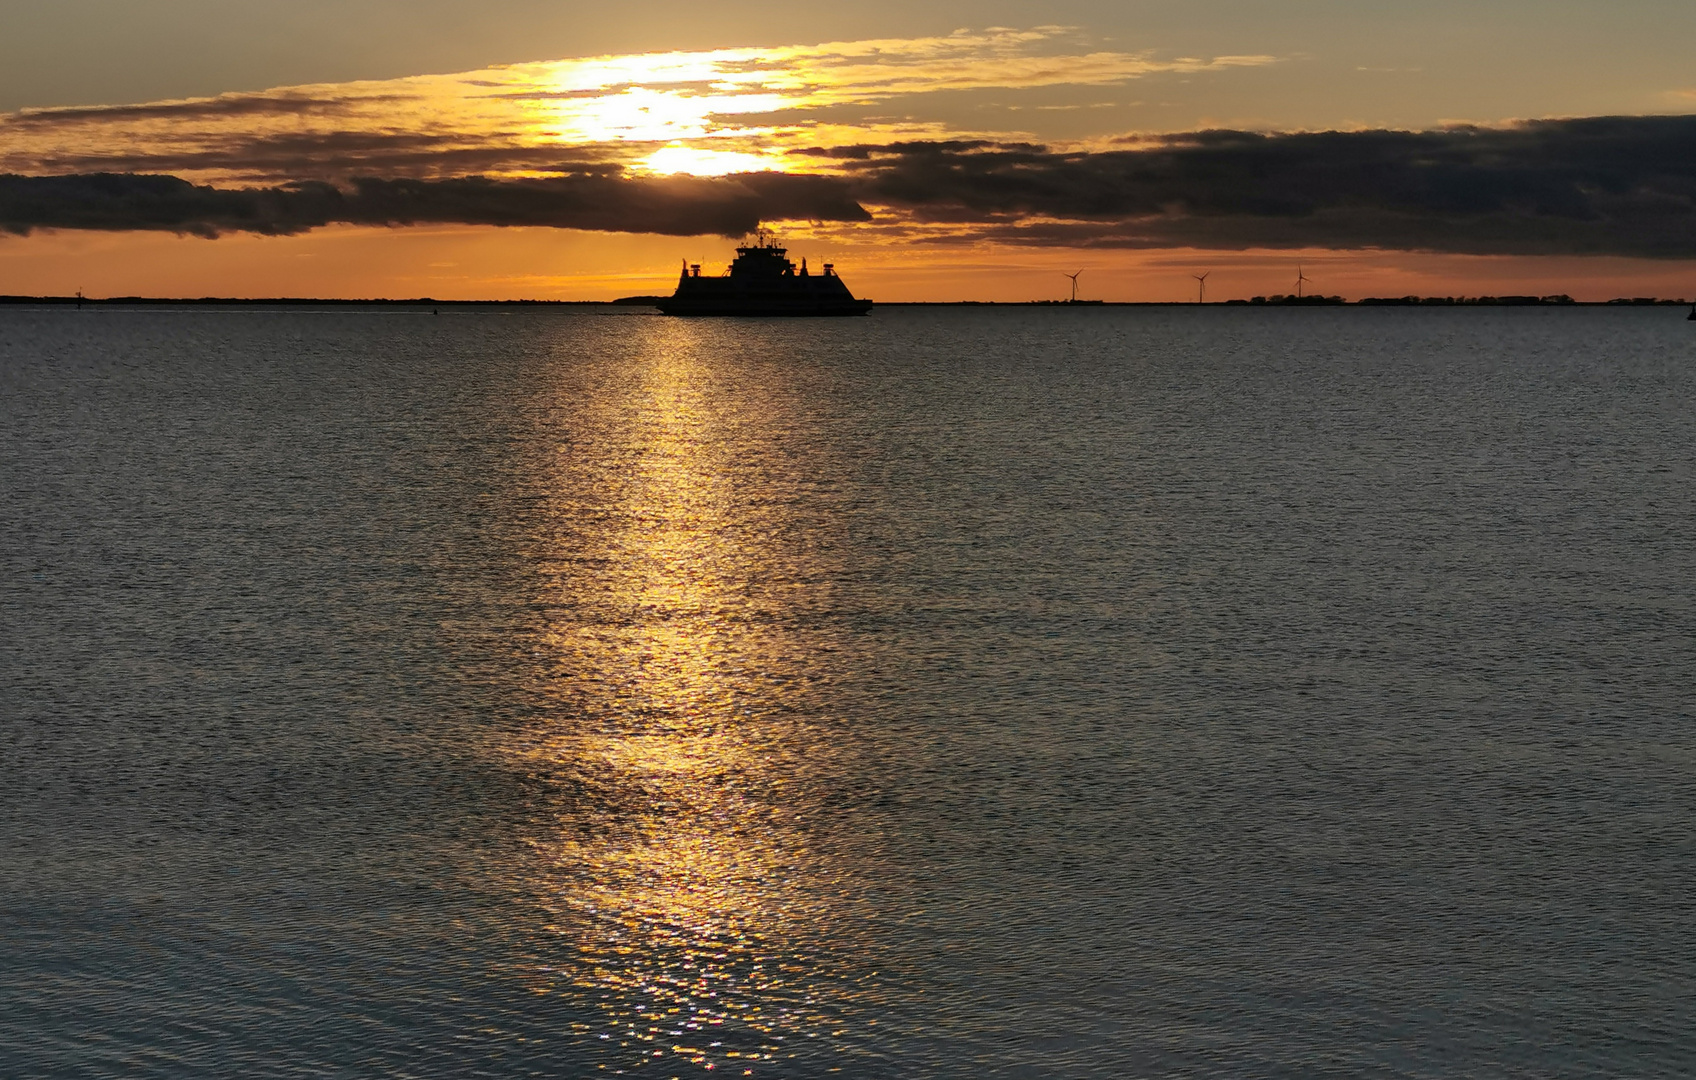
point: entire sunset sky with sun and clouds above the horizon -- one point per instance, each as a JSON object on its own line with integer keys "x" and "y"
{"x": 935, "y": 152}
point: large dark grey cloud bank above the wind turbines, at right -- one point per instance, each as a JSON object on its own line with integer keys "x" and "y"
{"x": 1605, "y": 186}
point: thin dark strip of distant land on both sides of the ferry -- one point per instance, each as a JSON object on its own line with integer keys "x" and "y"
{"x": 433, "y": 303}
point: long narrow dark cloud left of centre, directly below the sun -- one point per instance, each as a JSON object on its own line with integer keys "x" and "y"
{"x": 674, "y": 206}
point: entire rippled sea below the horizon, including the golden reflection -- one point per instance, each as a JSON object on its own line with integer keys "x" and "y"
{"x": 942, "y": 694}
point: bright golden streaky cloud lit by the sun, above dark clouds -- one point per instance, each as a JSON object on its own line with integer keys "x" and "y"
{"x": 700, "y": 113}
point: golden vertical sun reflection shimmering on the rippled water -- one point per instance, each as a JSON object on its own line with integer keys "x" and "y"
{"x": 684, "y": 889}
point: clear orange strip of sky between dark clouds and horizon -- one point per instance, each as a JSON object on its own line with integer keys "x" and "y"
{"x": 479, "y": 264}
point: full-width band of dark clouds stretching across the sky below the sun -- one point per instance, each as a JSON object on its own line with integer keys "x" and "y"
{"x": 1605, "y": 186}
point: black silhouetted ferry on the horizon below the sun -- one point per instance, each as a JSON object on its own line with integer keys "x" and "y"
{"x": 762, "y": 282}
